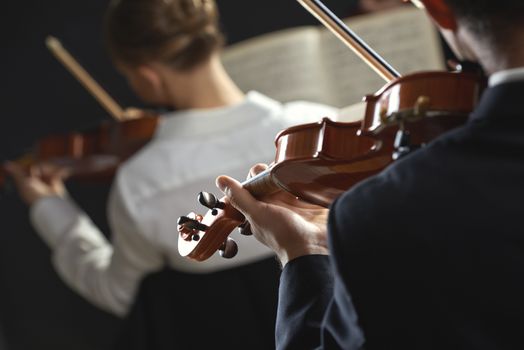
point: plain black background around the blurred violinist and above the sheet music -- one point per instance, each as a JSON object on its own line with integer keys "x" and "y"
{"x": 37, "y": 311}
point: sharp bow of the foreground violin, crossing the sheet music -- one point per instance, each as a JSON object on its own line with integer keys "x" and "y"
{"x": 350, "y": 39}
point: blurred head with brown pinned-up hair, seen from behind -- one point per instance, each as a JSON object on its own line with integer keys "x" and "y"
{"x": 179, "y": 33}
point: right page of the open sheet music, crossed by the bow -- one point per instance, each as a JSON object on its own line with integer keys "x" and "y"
{"x": 404, "y": 37}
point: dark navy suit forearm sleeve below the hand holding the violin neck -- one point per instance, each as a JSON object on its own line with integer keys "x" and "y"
{"x": 315, "y": 311}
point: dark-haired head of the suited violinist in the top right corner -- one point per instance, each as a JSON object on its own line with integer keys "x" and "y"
{"x": 492, "y": 19}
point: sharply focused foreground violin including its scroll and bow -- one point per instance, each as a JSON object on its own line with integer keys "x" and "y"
{"x": 318, "y": 162}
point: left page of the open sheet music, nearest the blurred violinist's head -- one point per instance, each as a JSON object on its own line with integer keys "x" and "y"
{"x": 281, "y": 65}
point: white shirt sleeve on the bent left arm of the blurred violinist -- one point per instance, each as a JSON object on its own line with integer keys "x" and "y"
{"x": 106, "y": 274}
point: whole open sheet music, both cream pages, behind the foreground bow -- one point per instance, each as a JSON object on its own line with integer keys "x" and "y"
{"x": 309, "y": 63}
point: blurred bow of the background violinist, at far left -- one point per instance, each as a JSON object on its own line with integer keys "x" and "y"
{"x": 72, "y": 65}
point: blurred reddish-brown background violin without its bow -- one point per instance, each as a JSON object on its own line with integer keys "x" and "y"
{"x": 93, "y": 154}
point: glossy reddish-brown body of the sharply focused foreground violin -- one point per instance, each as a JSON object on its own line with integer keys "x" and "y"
{"x": 318, "y": 162}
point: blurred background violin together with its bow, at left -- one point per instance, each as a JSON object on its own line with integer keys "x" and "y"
{"x": 93, "y": 154}
